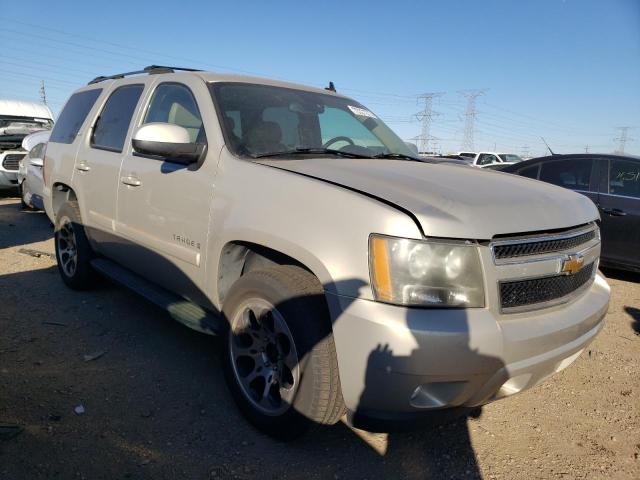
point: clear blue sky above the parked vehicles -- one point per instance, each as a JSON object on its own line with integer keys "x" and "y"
{"x": 568, "y": 71}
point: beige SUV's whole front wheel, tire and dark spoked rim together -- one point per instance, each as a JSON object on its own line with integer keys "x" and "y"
{"x": 289, "y": 306}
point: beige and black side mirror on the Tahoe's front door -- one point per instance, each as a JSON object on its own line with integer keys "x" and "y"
{"x": 166, "y": 140}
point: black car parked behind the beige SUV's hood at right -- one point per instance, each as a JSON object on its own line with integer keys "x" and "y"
{"x": 613, "y": 183}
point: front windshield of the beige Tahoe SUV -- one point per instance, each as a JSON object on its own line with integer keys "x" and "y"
{"x": 261, "y": 120}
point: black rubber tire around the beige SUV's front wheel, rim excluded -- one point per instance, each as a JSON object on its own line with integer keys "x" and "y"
{"x": 298, "y": 297}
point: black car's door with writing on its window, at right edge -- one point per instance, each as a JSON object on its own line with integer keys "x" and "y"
{"x": 620, "y": 212}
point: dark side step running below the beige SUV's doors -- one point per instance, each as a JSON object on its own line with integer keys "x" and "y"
{"x": 182, "y": 310}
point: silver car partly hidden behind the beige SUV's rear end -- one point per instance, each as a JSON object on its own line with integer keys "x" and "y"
{"x": 30, "y": 181}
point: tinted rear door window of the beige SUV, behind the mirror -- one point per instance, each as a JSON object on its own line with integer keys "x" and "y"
{"x": 112, "y": 125}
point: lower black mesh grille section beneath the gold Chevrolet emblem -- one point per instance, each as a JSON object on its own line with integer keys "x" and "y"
{"x": 539, "y": 290}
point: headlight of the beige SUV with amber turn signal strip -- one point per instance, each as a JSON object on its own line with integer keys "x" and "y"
{"x": 425, "y": 273}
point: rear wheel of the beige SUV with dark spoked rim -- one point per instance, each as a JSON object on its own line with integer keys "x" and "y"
{"x": 71, "y": 241}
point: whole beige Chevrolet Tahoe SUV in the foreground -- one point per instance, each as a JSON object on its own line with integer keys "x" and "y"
{"x": 345, "y": 274}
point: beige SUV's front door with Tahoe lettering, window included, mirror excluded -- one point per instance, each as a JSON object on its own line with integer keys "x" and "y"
{"x": 163, "y": 207}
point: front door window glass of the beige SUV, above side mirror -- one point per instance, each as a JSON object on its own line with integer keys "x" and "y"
{"x": 173, "y": 103}
